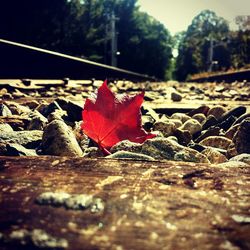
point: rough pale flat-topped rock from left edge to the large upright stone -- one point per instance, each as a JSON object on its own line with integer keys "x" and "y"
{"x": 26, "y": 138}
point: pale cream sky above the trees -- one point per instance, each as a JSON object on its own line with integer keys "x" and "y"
{"x": 176, "y": 15}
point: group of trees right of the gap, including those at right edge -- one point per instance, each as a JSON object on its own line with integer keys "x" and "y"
{"x": 209, "y": 45}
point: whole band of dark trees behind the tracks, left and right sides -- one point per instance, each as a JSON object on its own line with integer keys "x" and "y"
{"x": 82, "y": 28}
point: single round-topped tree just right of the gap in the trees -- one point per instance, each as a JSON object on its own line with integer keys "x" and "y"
{"x": 202, "y": 44}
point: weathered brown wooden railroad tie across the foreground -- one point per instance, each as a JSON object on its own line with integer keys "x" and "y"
{"x": 147, "y": 205}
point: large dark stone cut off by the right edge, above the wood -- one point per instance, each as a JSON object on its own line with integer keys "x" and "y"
{"x": 242, "y": 137}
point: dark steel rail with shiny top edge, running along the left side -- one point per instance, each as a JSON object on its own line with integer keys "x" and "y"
{"x": 20, "y": 61}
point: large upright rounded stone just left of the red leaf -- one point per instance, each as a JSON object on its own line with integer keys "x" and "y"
{"x": 59, "y": 139}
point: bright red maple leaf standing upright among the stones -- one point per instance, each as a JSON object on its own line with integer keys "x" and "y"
{"x": 108, "y": 119}
